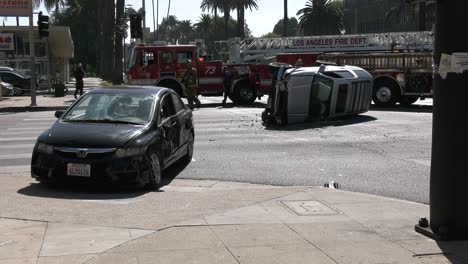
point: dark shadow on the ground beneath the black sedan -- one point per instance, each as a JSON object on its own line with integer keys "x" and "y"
{"x": 77, "y": 189}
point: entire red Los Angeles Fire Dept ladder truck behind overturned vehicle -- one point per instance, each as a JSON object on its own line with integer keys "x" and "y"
{"x": 164, "y": 65}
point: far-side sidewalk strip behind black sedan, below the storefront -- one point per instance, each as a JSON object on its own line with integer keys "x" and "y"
{"x": 44, "y": 100}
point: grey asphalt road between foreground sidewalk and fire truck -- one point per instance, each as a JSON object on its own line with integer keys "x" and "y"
{"x": 384, "y": 152}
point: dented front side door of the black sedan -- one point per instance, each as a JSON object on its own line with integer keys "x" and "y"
{"x": 170, "y": 126}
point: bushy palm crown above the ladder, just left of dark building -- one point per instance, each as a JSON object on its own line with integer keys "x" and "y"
{"x": 321, "y": 17}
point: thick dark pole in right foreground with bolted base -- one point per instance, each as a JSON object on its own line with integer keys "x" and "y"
{"x": 449, "y": 173}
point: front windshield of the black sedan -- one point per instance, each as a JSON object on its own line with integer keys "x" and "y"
{"x": 112, "y": 108}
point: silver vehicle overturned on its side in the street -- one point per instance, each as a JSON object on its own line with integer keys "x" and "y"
{"x": 316, "y": 93}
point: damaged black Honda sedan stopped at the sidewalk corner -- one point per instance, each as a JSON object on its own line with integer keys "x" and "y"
{"x": 118, "y": 134}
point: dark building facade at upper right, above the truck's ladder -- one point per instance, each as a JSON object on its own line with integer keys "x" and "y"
{"x": 377, "y": 16}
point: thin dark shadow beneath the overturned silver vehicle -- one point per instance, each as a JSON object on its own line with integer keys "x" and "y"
{"x": 344, "y": 121}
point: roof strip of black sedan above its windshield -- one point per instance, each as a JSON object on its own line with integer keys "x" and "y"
{"x": 131, "y": 89}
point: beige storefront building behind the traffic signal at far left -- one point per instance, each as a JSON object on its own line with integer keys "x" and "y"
{"x": 53, "y": 54}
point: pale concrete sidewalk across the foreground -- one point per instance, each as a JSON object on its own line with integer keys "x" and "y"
{"x": 218, "y": 222}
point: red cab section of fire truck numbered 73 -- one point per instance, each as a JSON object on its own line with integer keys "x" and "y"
{"x": 165, "y": 65}
